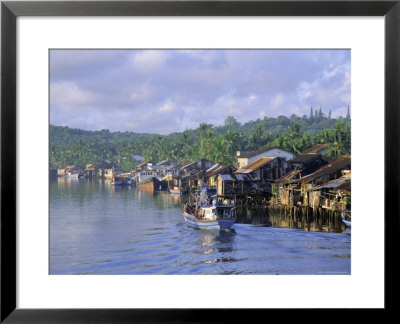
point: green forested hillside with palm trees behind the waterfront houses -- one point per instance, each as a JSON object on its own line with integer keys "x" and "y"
{"x": 218, "y": 144}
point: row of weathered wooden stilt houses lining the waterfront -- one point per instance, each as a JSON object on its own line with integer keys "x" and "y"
{"x": 314, "y": 184}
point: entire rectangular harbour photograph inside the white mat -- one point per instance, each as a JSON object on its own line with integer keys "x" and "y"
{"x": 200, "y": 161}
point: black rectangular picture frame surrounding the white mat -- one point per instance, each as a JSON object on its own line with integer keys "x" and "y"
{"x": 10, "y": 10}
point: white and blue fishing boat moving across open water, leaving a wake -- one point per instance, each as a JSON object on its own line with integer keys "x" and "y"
{"x": 221, "y": 214}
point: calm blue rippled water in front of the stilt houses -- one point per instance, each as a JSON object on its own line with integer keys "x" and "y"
{"x": 96, "y": 228}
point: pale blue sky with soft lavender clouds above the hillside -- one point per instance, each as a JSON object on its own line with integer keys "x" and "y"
{"x": 165, "y": 91}
